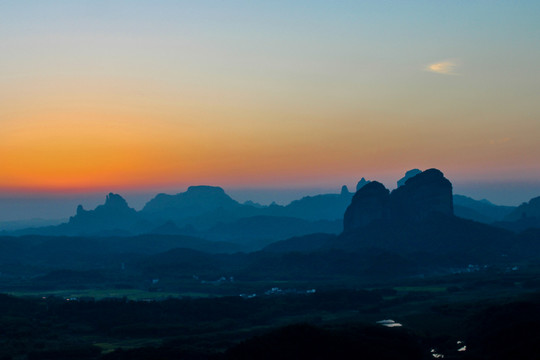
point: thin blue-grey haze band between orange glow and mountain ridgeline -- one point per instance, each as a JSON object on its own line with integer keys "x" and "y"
{"x": 47, "y": 206}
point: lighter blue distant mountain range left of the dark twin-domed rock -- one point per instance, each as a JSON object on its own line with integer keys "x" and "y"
{"x": 205, "y": 212}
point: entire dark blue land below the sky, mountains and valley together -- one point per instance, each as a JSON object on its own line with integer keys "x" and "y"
{"x": 413, "y": 273}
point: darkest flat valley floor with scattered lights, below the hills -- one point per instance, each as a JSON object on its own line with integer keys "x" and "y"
{"x": 480, "y": 314}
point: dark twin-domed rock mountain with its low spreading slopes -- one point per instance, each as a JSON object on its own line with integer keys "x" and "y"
{"x": 416, "y": 221}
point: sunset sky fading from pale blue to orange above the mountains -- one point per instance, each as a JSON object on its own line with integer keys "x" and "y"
{"x": 150, "y": 96}
